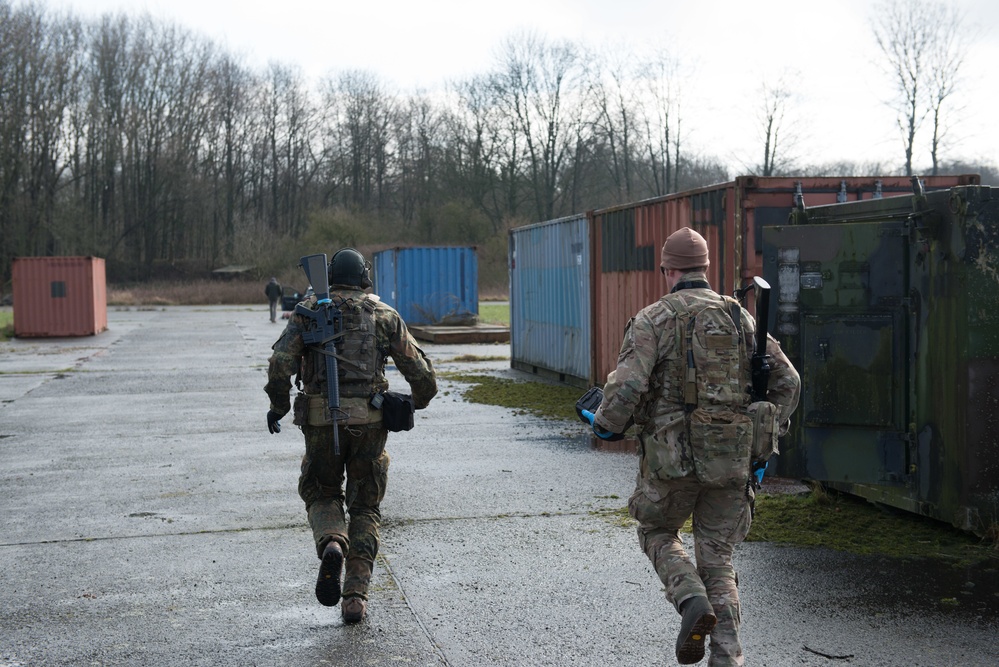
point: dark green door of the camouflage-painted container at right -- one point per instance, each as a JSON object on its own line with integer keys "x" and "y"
{"x": 842, "y": 315}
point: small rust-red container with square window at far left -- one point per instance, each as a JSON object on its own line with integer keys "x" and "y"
{"x": 59, "y": 296}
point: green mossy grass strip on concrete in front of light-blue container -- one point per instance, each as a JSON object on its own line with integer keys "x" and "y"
{"x": 543, "y": 400}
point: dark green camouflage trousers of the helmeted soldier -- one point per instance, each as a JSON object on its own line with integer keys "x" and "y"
{"x": 363, "y": 459}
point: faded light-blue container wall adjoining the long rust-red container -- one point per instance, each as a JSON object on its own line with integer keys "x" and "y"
{"x": 550, "y": 325}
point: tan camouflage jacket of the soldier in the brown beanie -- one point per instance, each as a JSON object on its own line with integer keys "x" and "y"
{"x": 644, "y": 385}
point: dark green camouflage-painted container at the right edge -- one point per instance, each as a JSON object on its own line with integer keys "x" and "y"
{"x": 889, "y": 309}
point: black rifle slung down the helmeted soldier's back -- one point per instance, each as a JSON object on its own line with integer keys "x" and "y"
{"x": 324, "y": 327}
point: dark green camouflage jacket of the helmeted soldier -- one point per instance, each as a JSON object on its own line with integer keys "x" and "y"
{"x": 391, "y": 338}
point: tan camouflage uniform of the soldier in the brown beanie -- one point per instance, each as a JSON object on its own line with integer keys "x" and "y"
{"x": 645, "y": 385}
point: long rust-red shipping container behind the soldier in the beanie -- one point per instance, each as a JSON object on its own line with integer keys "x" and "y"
{"x": 626, "y": 240}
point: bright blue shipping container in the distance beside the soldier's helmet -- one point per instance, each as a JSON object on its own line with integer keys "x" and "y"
{"x": 429, "y": 285}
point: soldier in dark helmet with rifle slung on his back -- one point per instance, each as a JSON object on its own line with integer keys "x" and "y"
{"x": 373, "y": 331}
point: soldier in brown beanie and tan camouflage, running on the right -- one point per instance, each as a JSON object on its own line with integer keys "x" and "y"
{"x": 671, "y": 486}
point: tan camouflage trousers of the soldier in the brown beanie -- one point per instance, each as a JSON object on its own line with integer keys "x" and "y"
{"x": 721, "y": 521}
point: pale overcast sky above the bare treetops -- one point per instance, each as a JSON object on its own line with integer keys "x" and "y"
{"x": 728, "y": 47}
